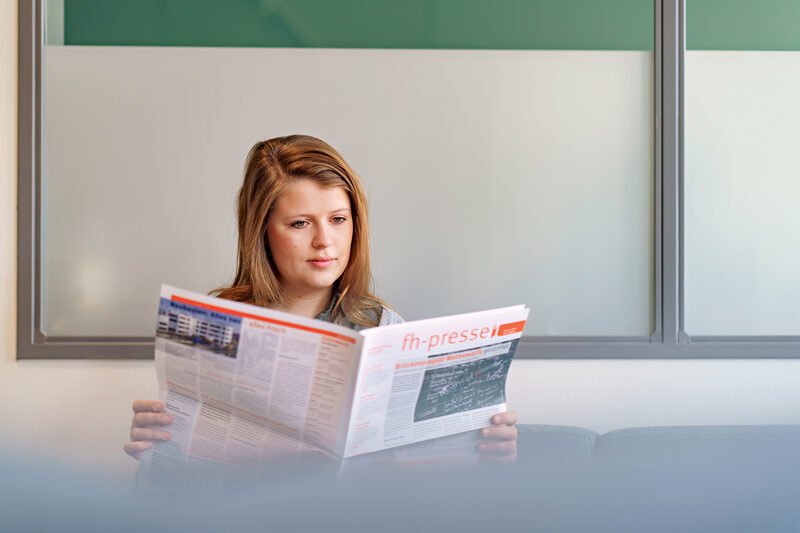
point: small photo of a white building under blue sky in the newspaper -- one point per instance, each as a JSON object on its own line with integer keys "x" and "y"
{"x": 200, "y": 327}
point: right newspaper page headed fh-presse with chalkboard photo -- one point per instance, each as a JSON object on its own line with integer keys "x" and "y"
{"x": 431, "y": 378}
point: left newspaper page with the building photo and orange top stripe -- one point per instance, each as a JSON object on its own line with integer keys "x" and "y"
{"x": 245, "y": 384}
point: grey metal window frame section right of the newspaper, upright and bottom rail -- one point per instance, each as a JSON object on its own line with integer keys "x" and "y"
{"x": 669, "y": 339}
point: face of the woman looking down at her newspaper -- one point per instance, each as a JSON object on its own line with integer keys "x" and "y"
{"x": 309, "y": 233}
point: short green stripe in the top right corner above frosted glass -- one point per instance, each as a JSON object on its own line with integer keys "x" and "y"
{"x": 743, "y": 24}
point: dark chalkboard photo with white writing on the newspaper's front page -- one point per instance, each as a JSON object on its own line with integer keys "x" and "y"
{"x": 466, "y": 386}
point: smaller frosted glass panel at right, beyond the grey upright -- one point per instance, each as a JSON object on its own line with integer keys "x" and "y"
{"x": 742, "y": 184}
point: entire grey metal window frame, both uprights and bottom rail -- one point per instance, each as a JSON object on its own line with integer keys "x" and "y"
{"x": 667, "y": 340}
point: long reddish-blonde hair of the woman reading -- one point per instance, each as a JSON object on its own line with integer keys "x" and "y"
{"x": 271, "y": 165}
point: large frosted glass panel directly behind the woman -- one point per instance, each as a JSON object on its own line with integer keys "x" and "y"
{"x": 495, "y": 177}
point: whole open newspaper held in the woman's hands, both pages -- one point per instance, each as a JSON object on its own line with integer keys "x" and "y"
{"x": 246, "y": 384}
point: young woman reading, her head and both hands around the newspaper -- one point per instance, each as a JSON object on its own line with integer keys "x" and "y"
{"x": 304, "y": 249}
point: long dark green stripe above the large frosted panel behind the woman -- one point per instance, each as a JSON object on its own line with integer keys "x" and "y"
{"x": 435, "y": 24}
